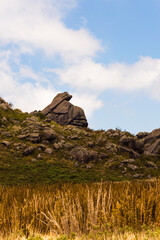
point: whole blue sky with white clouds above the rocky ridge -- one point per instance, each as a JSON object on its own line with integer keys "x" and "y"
{"x": 106, "y": 53}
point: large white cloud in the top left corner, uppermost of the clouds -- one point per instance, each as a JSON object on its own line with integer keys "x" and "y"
{"x": 39, "y": 24}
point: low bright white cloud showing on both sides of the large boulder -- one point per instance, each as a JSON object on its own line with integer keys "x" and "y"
{"x": 31, "y": 95}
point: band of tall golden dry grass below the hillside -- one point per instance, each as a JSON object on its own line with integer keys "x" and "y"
{"x": 82, "y": 209}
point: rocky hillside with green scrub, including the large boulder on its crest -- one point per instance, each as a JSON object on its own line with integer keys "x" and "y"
{"x": 34, "y": 148}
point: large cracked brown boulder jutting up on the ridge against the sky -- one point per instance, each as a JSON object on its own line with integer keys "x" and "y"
{"x": 64, "y": 113}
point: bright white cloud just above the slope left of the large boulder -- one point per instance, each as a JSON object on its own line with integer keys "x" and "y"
{"x": 27, "y": 96}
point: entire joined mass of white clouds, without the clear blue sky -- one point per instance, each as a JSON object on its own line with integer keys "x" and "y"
{"x": 29, "y": 27}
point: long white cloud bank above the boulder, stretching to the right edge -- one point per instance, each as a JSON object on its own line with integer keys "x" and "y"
{"x": 96, "y": 77}
